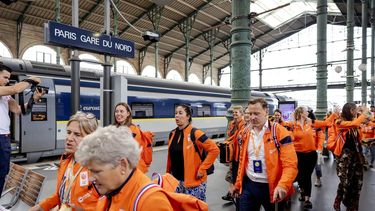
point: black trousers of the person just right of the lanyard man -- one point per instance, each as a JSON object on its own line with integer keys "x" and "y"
{"x": 306, "y": 165}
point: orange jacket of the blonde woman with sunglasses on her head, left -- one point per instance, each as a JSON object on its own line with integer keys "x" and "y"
{"x": 84, "y": 196}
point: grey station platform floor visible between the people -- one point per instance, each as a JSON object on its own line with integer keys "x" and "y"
{"x": 322, "y": 197}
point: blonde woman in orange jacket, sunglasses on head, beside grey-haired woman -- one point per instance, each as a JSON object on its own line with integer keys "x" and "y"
{"x": 74, "y": 191}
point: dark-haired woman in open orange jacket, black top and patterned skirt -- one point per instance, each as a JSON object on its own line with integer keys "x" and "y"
{"x": 183, "y": 161}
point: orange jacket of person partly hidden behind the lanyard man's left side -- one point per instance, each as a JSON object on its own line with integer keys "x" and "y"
{"x": 233, "y": 132}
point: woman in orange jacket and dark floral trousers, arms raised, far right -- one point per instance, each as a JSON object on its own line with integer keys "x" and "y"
{"x": 349, "y": 157}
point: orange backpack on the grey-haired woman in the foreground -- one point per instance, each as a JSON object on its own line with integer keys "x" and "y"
{"x": 179, "y": 201}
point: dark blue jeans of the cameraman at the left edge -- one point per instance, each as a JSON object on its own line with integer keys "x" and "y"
{"x": 4, "y": 159}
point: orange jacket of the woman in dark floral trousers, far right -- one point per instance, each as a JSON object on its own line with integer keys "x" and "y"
{"x": 337, "y": 134}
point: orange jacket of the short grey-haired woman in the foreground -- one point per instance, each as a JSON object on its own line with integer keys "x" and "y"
{"x": 125, "y": 198}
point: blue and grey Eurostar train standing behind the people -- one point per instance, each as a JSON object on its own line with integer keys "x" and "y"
{"x": 41, "y": 133}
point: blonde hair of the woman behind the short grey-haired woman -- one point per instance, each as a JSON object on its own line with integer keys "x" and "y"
{"x": 87, "y": 121}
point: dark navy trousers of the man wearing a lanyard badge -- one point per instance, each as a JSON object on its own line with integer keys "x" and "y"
{"x": 254, "y": 195}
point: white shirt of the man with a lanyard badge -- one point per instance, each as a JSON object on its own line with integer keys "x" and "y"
{"x": 256, "y": 140}
